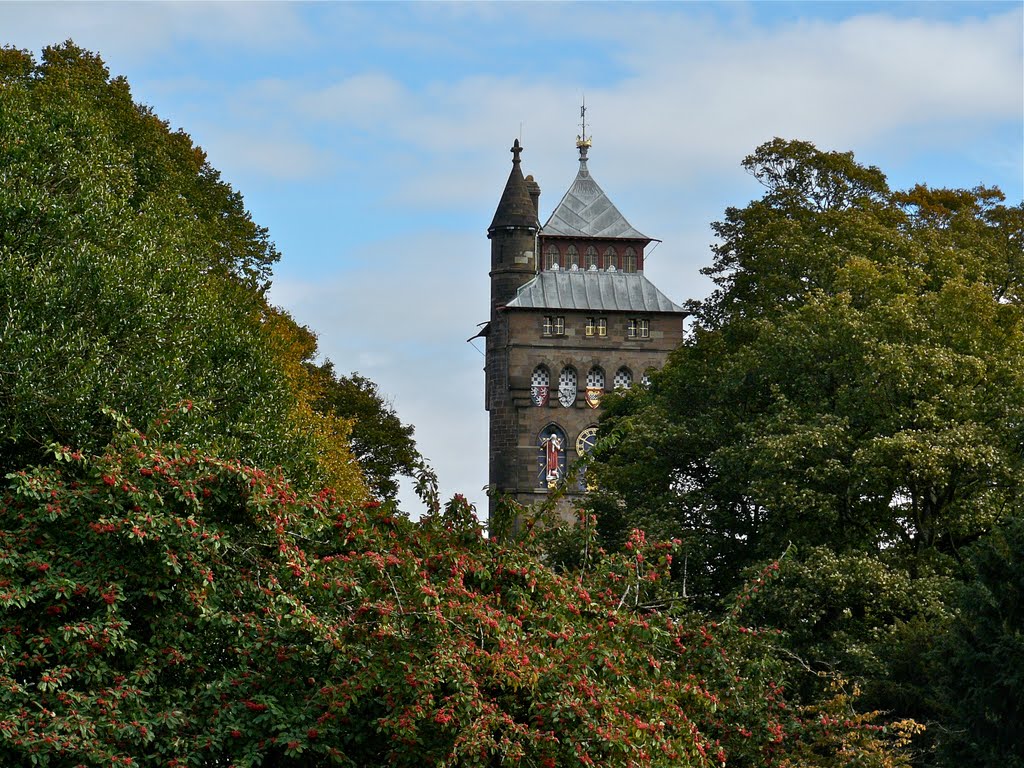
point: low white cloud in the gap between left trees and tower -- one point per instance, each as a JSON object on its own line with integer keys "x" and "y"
{"x": 403, "y": 320}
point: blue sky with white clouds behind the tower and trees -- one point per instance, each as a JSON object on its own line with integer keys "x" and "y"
{"x": 373, "y": 141}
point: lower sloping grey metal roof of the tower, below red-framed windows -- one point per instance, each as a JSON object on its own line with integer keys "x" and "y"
{"x": 593, "y": 291}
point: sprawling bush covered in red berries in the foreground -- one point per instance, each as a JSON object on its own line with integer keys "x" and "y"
{"x": 167, "y": 608}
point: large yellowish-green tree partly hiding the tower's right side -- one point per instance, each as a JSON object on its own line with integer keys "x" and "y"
{"x": 855, "y": 388}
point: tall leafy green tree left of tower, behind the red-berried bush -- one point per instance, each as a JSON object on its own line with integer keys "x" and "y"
{"x": 133, "y": 278}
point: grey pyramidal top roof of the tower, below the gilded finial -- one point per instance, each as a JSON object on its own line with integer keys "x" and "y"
{"x": 586, "y": 210}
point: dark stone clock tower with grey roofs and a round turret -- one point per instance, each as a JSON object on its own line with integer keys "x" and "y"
{"x": 572, "y": 316}
